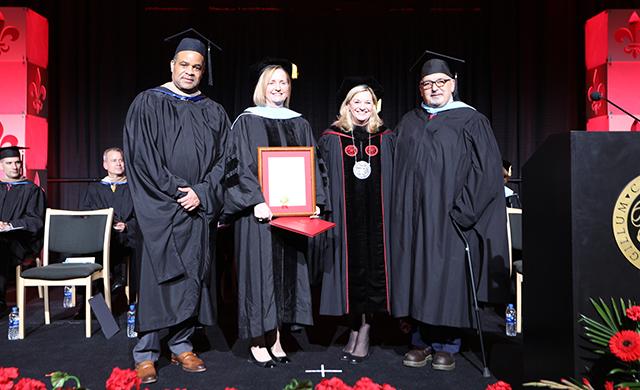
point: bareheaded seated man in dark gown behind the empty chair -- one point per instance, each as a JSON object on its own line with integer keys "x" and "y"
{"x": 113, "y": 191}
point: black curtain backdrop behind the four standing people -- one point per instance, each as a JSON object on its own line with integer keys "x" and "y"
{"x": 525, "y": 62}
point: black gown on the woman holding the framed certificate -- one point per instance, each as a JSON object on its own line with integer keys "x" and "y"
{"x": 273, "y": 279}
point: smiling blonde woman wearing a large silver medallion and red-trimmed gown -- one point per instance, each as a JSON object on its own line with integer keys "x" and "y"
{"x": 358, "y": 152}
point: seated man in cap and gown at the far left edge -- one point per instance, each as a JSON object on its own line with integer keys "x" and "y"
{"x": 22, "y": 209}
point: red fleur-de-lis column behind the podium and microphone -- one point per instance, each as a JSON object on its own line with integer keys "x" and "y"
{"x": 612, "y": 57}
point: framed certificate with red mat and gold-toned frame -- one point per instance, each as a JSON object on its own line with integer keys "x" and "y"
{"x": 287, "y": 178}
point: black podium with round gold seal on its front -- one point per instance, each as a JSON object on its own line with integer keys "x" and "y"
{"x": 580, "y": 241}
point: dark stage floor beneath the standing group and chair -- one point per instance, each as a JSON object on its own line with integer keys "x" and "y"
{"x": 62, "y": 346}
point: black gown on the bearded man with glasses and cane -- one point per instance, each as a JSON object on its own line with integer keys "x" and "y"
{"x": 446, "y": 167}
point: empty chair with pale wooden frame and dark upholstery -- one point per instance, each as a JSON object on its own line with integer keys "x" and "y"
{"x": 77, "y": 232}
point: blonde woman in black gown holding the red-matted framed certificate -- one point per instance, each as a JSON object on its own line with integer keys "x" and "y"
{"x": 273, "y": 279}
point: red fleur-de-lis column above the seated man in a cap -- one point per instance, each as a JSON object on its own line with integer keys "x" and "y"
{"x": 24, "y": 55}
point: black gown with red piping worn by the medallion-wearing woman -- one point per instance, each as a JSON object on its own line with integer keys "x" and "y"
{"x": 355, "y": 253}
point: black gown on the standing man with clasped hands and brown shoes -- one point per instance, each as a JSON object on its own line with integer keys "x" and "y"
{"x": 173, "y": 142}
